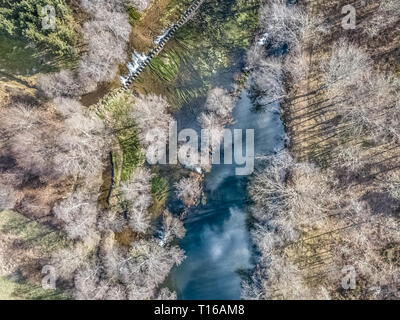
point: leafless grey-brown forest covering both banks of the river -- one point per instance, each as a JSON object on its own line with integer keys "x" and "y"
{"x": 326, "y": 204}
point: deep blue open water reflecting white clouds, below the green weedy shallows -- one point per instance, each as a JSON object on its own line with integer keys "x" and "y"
{"x": 217, "y": 242}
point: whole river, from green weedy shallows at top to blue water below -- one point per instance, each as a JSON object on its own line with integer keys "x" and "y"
{"x": 211, "y": 52}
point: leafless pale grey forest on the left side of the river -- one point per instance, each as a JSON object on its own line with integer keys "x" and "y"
{"x": 52, "y": 161}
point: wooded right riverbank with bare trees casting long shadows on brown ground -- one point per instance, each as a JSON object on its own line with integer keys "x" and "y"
{"x": 326, "y": 210}
